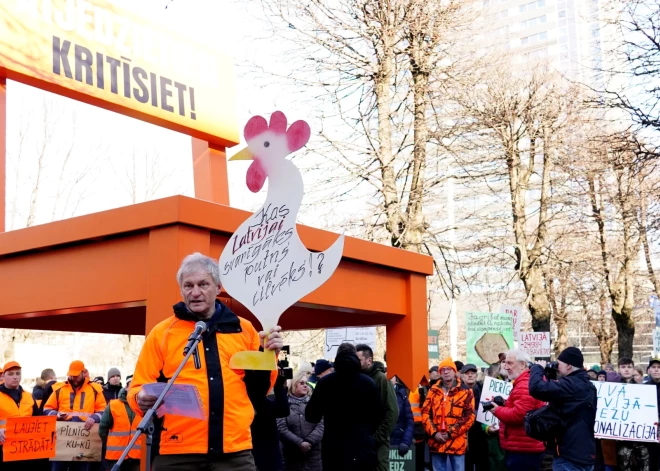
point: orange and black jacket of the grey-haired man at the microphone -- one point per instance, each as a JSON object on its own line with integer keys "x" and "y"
{"x": 223, "y": 391}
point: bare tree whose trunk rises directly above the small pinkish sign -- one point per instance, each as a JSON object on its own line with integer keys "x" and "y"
{"x": 518, "y": 123}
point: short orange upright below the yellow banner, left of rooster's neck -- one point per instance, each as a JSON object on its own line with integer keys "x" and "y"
{"x": 210, "y": 172}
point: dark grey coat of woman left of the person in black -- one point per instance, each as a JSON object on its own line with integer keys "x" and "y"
{"x": 294, "y": 430}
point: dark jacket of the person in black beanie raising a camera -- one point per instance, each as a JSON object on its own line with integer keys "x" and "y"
{"x": 576, "y": 399}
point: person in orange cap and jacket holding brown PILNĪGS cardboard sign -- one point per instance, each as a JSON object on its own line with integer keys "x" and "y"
{"x": 76, "y": 400}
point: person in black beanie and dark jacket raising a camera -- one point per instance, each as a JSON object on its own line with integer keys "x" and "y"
{"x": 572, "y": 398}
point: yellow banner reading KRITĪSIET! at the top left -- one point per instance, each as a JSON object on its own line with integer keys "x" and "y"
{"x": 97, "y": 53}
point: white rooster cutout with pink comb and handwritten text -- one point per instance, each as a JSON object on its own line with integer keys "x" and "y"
{"x": 265, "y": 266}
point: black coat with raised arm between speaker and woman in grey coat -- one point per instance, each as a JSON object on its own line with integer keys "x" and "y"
{"x": 265, "y": 439}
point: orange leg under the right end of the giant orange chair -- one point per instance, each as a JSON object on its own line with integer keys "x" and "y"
{"x": 407, "y": 336}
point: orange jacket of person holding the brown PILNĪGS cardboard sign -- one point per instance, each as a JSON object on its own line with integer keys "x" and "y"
{"x": 79, "y": 404}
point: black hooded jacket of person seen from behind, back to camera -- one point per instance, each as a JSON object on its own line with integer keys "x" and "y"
{"x": 350, "y": 405}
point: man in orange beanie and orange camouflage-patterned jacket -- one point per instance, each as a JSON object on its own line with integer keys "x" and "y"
{"x": 448, "y": 414}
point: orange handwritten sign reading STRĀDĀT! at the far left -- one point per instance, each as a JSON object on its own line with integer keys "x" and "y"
{"x": 29, "y": 438}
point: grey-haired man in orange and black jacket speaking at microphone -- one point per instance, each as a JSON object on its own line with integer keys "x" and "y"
{"x": 223, "y": 440}
